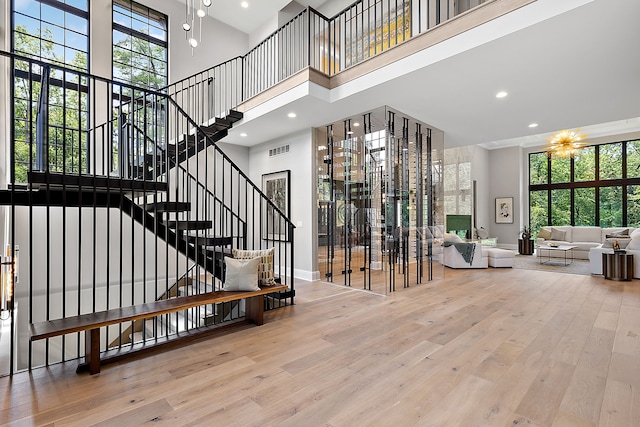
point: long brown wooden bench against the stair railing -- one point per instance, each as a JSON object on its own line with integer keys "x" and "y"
{"x": 92, "y": 322}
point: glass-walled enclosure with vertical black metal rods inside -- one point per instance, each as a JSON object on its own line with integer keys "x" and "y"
{"x": 380, "y": 210}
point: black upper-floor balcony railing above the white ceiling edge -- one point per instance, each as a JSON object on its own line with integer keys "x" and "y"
{"x": 328, "y": 45}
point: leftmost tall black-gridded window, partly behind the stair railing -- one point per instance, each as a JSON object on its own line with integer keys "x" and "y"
{"x": 55, "y": 32}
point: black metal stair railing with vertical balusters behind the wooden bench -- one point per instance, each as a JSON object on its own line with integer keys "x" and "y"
{"x": 138, "y": 203}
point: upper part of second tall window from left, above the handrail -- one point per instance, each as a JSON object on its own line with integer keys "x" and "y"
{"x": 139, "y": 45}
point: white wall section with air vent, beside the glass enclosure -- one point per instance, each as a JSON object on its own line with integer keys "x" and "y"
{"x": 300, "y": 161}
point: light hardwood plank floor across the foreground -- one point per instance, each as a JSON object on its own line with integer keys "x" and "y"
{"x": 495, "y": 347}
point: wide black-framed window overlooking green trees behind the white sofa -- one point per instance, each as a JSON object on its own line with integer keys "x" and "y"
{"x": 599, "y": 185}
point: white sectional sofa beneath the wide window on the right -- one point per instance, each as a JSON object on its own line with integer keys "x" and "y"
{"x": 584, "y": 238}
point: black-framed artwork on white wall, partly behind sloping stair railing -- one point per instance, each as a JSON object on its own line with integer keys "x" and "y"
{"x": 277, "y": 187}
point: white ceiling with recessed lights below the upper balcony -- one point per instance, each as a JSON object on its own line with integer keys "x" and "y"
{"x": 580, "y": 68}
